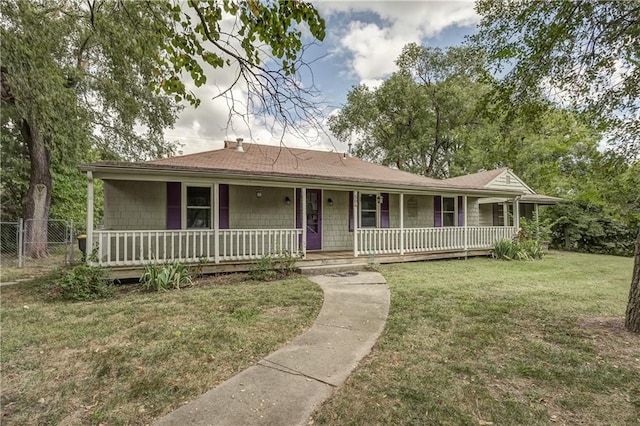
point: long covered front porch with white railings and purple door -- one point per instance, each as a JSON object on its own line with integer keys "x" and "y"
{"x": 285, "y": 221}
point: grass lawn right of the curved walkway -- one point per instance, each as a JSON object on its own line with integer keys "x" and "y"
{"x": 506, "y": 343}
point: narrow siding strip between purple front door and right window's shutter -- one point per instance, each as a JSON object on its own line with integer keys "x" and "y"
{"x": 335, "y": 221}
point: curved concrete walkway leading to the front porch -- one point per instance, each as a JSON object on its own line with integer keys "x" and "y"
{"x": 288, "y": 385}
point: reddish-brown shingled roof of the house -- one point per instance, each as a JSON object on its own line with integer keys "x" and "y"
{"x": 256, "y": 161}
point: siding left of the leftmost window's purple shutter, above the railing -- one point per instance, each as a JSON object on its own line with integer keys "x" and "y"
{"x": 135, "y": 205}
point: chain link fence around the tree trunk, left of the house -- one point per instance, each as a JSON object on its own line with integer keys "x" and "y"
{"x": 39, "y": 243}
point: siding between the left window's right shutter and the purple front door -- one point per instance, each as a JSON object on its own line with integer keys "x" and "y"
{"x": 246, "y": 211}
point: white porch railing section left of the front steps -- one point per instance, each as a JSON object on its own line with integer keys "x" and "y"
{"x": 130, "y": 248}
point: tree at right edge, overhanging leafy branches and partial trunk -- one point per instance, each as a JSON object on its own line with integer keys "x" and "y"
{"x": 585, "y": 54}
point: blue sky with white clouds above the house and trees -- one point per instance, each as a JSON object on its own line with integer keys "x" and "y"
{"x": 363, "y": 40}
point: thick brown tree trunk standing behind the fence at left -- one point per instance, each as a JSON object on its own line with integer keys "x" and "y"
{"x": 37, "y": 202}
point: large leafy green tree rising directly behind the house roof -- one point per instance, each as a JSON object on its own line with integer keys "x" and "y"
{"x": 416, "y": 119}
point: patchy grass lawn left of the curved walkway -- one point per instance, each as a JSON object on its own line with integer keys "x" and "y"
{"x": 132, "y": 359}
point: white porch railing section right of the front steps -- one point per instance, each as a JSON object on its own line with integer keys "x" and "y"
{"x": 387, "y": 240}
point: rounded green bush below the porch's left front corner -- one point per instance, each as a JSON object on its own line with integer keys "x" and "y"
{"x": 83, "y": 282}
